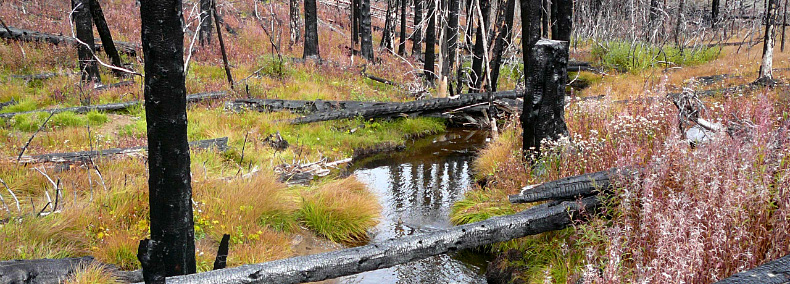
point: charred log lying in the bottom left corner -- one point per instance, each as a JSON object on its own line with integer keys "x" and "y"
{"x": 53, "y": 271}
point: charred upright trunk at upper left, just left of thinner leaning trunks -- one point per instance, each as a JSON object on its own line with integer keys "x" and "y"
{"x": 84, "y": 26}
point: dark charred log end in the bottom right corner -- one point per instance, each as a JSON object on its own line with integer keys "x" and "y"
{"x": 773, "y": 272}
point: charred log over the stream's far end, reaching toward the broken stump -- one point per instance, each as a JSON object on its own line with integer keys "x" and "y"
{"x": 408, "y": 108}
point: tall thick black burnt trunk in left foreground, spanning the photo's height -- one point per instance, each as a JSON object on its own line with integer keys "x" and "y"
{"x": 170, "y": 191}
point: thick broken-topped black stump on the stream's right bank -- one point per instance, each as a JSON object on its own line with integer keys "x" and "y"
{"x": 544, "y": 97}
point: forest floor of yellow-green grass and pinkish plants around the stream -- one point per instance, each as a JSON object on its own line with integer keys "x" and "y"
{"x": 102, "y": 206}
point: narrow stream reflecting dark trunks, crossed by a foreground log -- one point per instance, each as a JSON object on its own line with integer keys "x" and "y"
{"x": 417, "y": 188}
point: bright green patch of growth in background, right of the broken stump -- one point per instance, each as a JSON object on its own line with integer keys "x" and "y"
{"x": 640, "y": 56}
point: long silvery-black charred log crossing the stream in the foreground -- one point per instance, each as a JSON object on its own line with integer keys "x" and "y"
{"x": 542, "y": 218}
